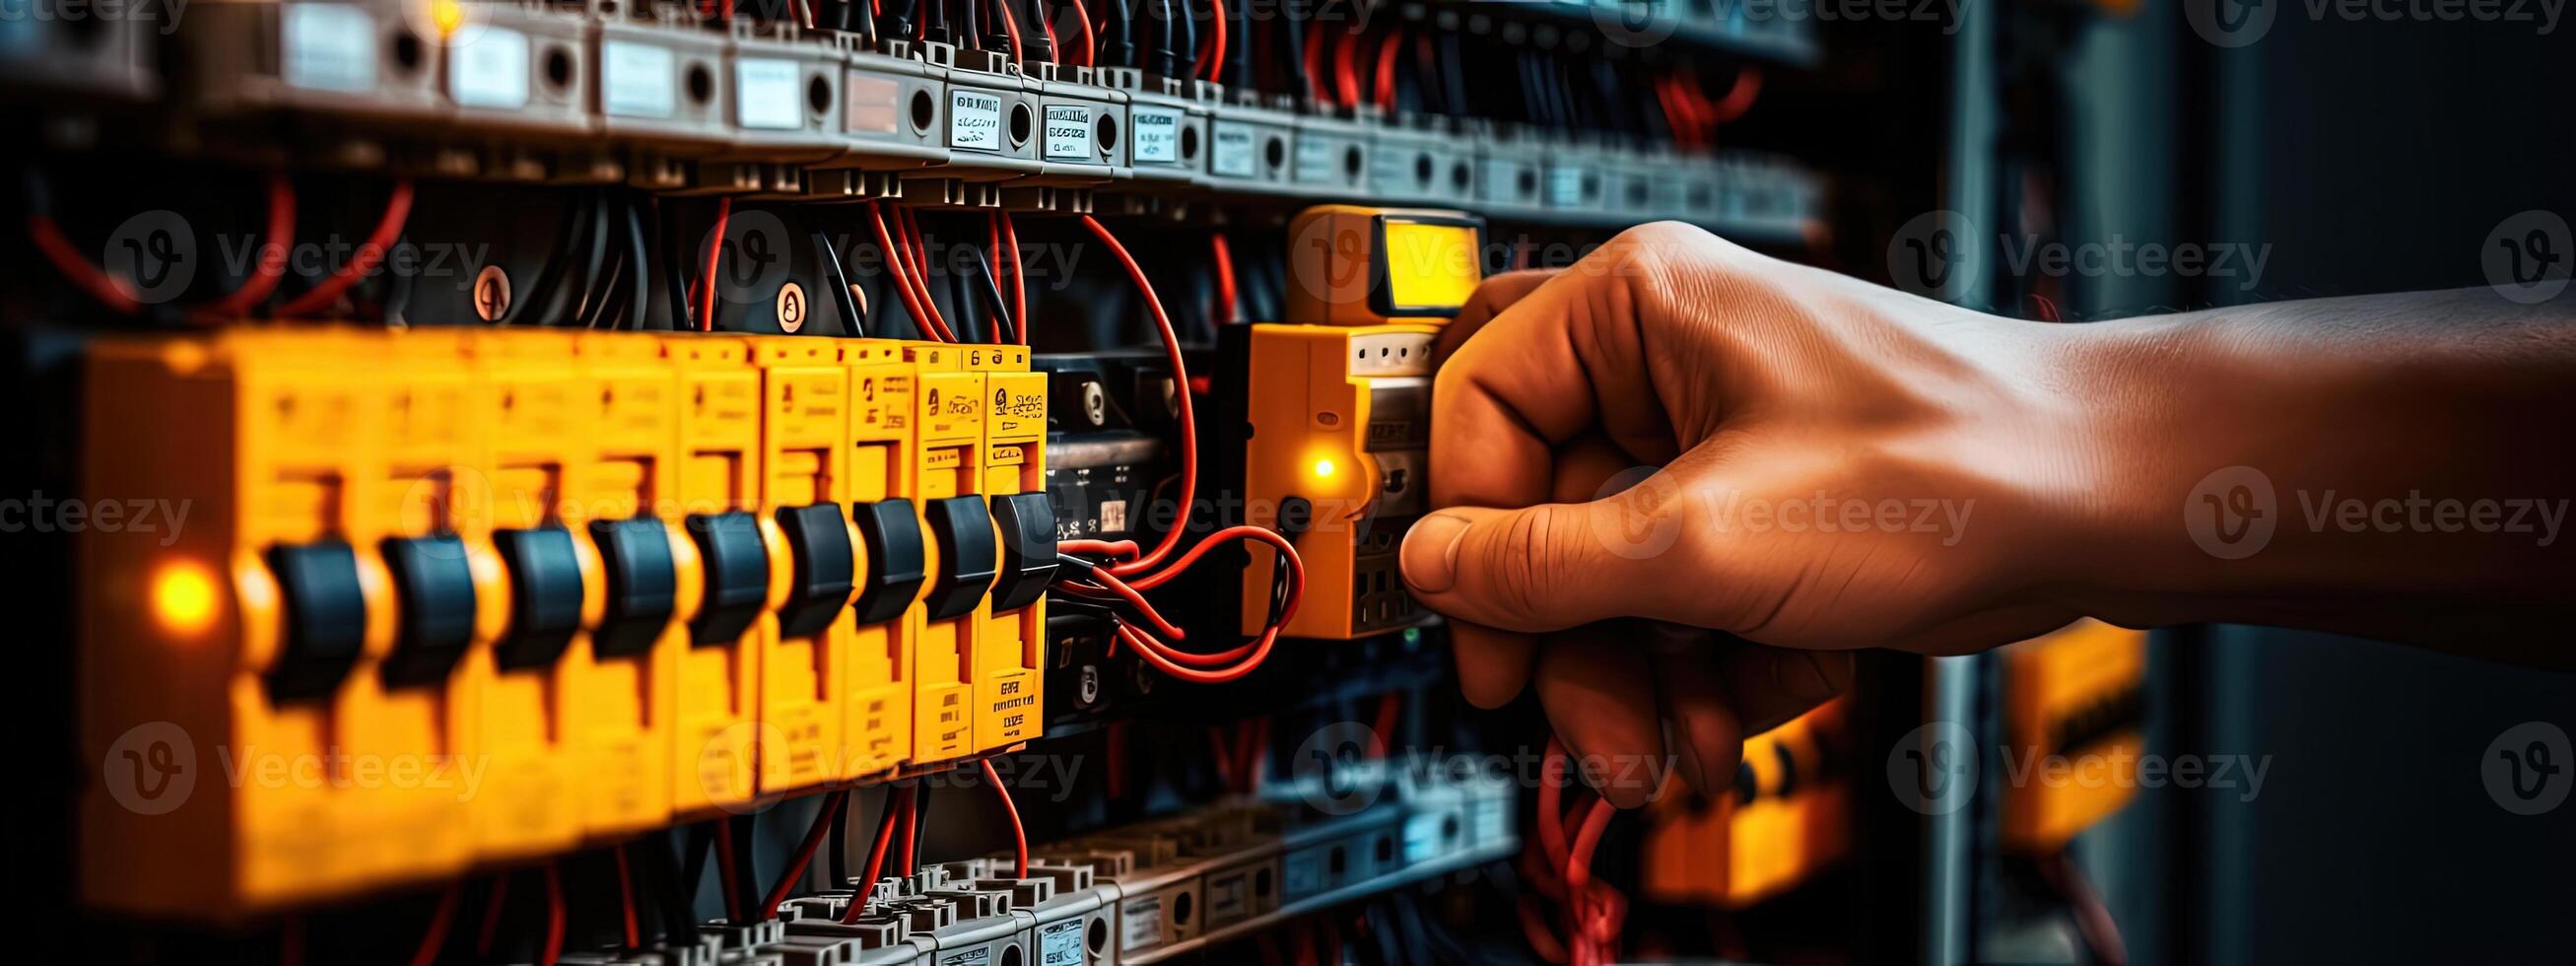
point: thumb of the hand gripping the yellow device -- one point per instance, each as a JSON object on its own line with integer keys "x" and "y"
{"x": 1542, "y": 568}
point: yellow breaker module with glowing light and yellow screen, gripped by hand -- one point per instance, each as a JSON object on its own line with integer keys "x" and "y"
{"x": 1336, "y": 408}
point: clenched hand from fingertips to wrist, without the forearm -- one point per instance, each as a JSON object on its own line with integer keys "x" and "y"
{"x": 1717, "y": 442}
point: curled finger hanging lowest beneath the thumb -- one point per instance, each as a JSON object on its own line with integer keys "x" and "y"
{"x": 1598, "y": 694}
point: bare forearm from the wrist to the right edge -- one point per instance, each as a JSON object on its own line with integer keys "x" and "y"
{"x": 2389, "y": 465}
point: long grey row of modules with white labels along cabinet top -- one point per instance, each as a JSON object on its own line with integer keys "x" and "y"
{"x": 658, "y": 99}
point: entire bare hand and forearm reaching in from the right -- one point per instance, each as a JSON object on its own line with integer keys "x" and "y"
{"x": 1817, "y": 465}
